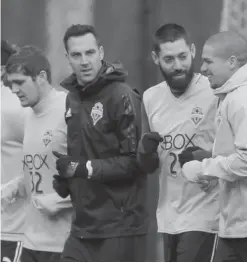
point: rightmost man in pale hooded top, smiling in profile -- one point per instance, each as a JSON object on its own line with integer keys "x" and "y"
{"x": 224, "y": 62}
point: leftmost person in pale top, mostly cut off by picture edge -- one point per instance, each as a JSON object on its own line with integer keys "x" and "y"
{"x": 12, "y": 132}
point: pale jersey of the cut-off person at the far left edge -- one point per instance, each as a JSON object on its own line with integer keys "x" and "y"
{"x": 12, "y": 132}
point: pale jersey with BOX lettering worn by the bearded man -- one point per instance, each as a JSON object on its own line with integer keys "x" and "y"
{"x": 183, "y": 122}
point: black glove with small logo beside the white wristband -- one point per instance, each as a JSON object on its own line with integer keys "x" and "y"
{"x": 68, "y": 166}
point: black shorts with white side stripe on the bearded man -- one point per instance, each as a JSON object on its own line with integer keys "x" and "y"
{"x": 192, "y": 246}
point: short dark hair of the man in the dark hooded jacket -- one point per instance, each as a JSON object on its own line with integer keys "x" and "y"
{"x": 79, "y": 30}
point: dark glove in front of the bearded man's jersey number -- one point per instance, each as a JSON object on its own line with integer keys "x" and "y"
{"x": 193, "y": 153}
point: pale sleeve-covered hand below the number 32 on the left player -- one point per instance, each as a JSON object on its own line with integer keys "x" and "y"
{"x": 52, "y": 204}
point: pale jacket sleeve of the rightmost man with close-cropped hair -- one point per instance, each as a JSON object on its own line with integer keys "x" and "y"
{"x": 234, "y": 166}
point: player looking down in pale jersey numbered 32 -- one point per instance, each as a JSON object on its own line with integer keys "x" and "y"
{"x": 48, "y": 216}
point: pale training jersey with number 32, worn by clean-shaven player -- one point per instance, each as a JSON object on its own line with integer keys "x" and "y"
{"x": 44, "y": 232}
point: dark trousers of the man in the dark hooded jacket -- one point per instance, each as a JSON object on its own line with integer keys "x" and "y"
{"x": 129, "y": 248}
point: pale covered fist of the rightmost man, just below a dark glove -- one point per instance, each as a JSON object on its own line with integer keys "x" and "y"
{"x": 192, "y": 171}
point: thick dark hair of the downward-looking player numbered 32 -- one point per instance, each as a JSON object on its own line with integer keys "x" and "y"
{"x": 29, "y": 61}
